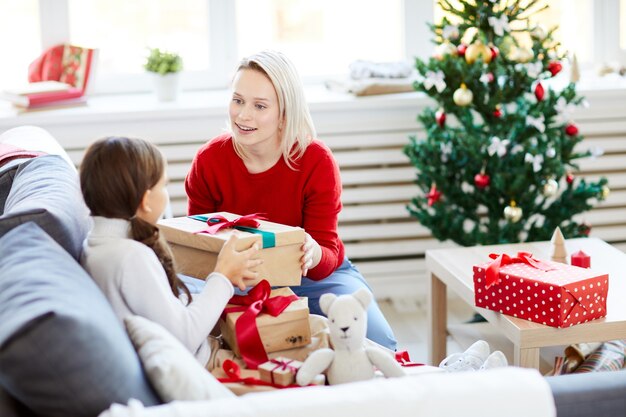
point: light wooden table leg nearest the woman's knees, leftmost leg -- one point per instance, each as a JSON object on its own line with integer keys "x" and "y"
{"x": 437, "y": 320}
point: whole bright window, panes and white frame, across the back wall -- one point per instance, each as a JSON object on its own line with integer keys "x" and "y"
{"x": 322, "y": 37}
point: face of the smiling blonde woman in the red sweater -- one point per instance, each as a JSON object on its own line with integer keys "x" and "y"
{"x": 254, "y": 114}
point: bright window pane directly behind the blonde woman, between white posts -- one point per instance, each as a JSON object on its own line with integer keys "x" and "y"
{"x": 322, "y": 37}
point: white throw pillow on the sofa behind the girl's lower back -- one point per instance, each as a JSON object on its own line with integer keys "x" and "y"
{"x": 172, "y": 369}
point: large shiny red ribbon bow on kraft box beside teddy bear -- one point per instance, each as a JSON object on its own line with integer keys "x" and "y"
{"x": 254, "y": 303}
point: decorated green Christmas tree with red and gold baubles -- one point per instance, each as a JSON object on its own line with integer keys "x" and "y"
{"x": 498, "y": 162}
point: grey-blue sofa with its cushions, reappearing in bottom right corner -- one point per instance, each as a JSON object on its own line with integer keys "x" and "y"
{"x": 63, "y": 352}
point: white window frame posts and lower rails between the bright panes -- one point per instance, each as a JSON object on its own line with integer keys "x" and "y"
{"x": 54, "y": 24}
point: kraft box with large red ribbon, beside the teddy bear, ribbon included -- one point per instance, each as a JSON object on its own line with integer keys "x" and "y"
{"x": 279, "y": 316}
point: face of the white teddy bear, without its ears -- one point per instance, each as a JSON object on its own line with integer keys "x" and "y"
{"x": 347, "y": 320}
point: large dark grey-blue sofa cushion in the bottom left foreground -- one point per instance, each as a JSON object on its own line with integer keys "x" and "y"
{"x": 63, "y": 352}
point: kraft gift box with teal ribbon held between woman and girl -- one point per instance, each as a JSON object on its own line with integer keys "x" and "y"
{"x": 196, "y": 253}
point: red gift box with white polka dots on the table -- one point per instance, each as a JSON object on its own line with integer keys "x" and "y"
{"x": 546, "y": 292}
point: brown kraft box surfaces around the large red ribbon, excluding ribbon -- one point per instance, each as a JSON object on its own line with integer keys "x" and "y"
{"x": 288, "y": 330}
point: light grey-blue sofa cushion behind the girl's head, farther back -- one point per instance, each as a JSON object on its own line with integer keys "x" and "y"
{"x": 46, "y": 190}
